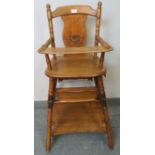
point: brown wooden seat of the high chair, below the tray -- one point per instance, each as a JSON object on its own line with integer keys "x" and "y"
{"x": 73, "y": 66}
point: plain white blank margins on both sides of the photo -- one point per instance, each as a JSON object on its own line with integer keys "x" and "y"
{"x": 137, "y": 77}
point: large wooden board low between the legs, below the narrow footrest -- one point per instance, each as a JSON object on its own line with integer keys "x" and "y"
{"x": 78, "y": 117}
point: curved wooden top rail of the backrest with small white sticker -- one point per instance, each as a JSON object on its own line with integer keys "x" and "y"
{"x": 74, "y": 9}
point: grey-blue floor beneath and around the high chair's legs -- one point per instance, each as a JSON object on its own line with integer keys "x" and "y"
{"x": 76, "y": 144}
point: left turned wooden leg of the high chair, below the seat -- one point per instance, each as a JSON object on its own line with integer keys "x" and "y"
{"x": 52, "y": 84}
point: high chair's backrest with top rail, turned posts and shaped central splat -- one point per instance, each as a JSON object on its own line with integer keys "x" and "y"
{"x": 74, "y": 18}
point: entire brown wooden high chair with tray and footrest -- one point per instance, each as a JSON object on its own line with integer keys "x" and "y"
{"x": 80, "y": 109}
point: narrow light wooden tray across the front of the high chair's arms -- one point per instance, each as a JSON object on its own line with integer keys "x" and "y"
{"x": 74, "y": 50}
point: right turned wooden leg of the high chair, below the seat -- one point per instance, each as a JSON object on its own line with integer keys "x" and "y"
{"x": 105, "y": 110}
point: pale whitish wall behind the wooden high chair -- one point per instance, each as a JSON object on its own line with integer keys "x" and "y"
{"x": 110, "y": 31}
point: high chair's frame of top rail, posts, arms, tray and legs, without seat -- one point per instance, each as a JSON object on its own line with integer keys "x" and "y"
{"x": 47, "y": 51}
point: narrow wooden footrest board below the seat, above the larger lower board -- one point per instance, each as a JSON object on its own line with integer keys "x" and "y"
{"x": 78, "y": 95}
